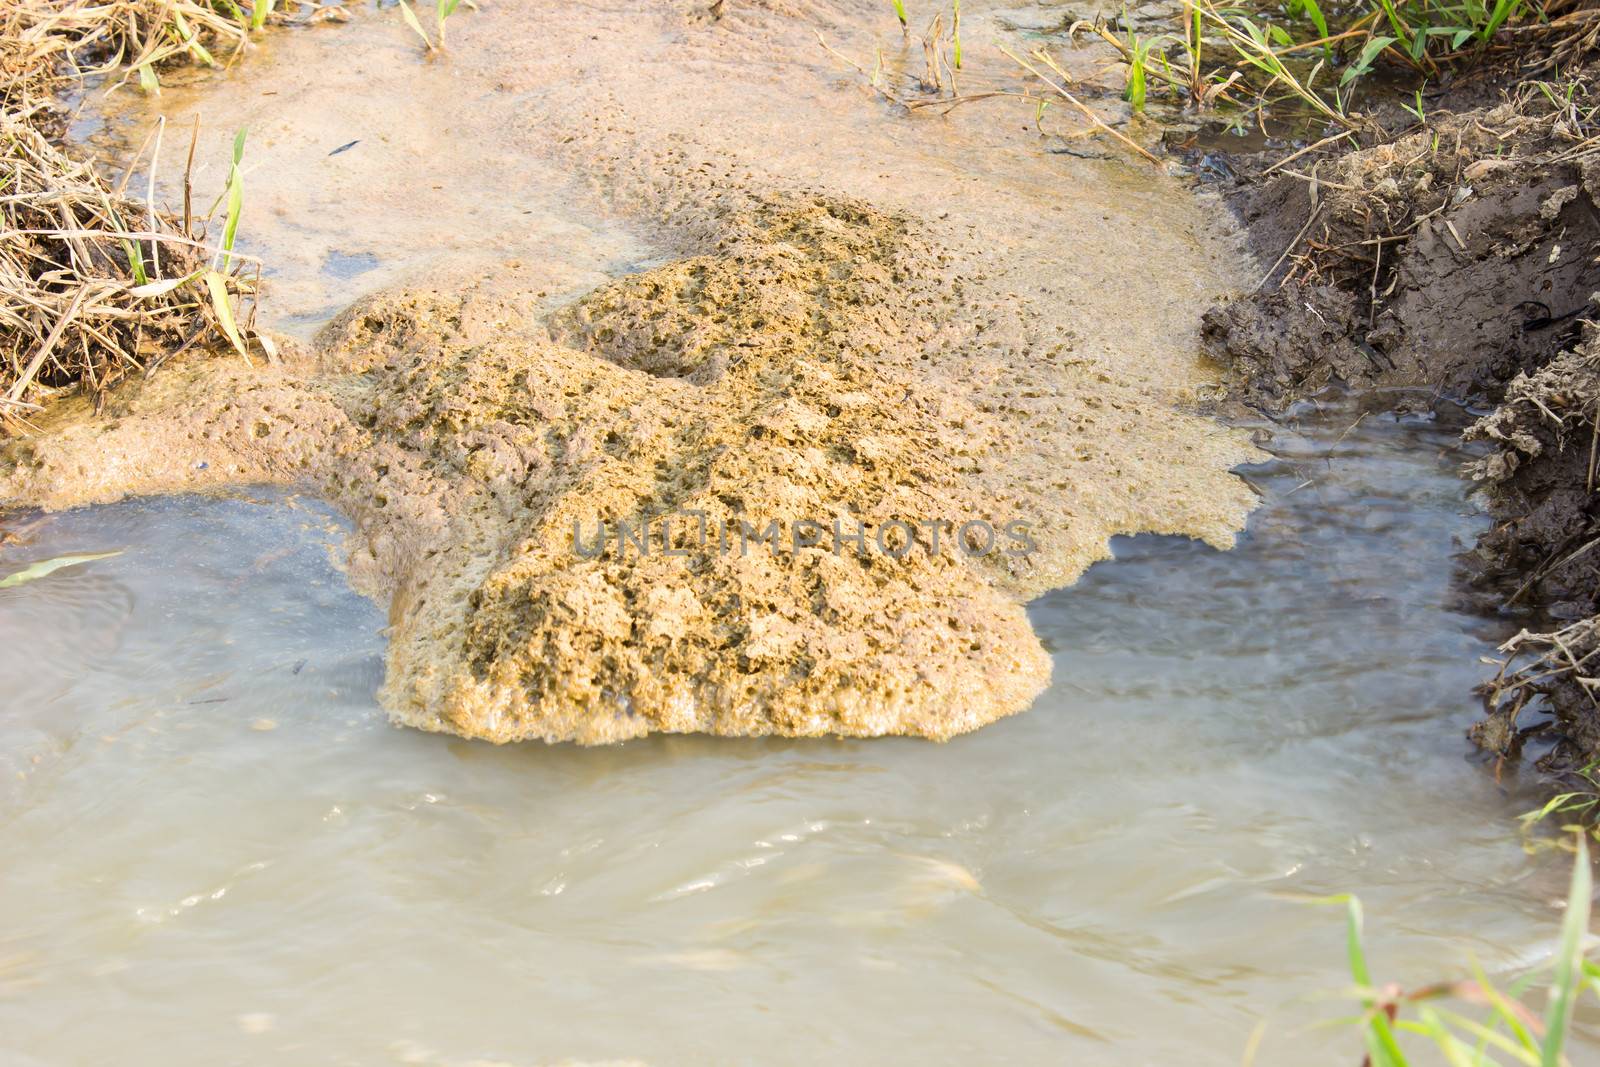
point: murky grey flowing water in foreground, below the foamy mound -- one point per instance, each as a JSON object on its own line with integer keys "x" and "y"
{"x": 220, "y": 849}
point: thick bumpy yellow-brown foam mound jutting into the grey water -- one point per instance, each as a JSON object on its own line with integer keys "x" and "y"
{"x": 774, "y": 378}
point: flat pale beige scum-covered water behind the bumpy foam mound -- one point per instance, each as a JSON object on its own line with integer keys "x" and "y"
{"x": 553, "y": 145}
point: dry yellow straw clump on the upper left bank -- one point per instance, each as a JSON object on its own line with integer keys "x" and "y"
{"x": 95, "y": 282}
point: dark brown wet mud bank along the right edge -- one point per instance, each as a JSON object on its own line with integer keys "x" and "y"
{"x": 1462, "y": 255}
